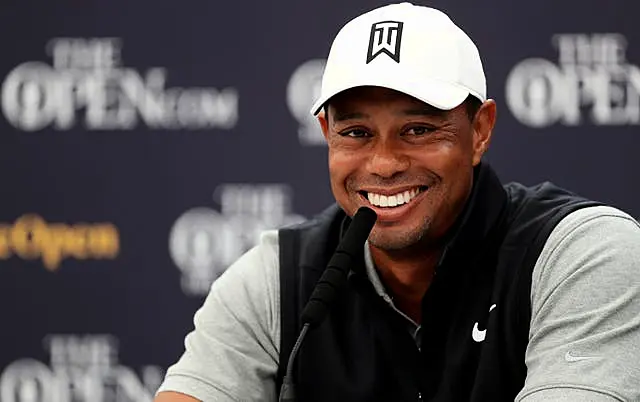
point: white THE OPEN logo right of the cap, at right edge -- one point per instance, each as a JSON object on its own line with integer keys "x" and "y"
{"x": 591, "y": 82}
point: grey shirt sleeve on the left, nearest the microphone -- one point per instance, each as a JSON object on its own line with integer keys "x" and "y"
{"x": 233, "y": 352}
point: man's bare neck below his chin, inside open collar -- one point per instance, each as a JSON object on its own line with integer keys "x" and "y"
{"x": 406, "y": 275}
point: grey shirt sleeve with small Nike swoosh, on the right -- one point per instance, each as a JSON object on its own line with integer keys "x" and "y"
{"x": 584, "y": 339}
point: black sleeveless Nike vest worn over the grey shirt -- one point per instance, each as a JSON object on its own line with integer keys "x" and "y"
{"x": 363, "y": 350}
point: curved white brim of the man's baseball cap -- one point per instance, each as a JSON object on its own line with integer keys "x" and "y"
{"x": 439, "y": 94}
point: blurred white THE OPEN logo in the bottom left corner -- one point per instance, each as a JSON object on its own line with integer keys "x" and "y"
{"x": 81, "y": 369}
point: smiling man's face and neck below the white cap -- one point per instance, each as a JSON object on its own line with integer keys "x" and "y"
{"x": 413, "y": 165}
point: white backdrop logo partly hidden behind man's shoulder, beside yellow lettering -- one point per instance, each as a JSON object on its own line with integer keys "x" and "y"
{"x": 204, "y": 242}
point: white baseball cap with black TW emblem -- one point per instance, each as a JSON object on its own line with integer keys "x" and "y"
{"x": 412, "y": 49}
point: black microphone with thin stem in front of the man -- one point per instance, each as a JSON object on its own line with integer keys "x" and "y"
{"x": 329, "y": 287}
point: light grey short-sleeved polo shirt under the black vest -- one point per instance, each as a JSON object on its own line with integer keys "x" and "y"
{"x": 584, "y": 339}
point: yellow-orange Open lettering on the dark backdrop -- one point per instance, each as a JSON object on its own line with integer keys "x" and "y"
{"x": 30, "y": 237}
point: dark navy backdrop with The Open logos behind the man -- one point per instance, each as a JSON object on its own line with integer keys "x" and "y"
{"x": 144, "y": 145}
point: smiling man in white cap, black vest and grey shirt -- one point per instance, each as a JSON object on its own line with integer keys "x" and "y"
{"x": 467, "y": 290}
